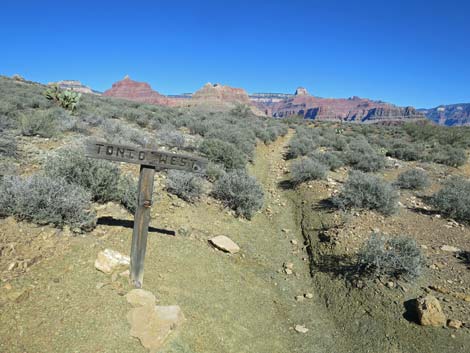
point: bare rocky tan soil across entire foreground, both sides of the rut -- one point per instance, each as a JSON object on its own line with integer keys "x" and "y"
{"x": 260, "y": 298}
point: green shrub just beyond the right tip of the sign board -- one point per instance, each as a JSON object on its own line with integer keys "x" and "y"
{"x": 222, "y": 152}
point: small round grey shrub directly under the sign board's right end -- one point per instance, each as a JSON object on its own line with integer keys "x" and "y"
{"x": 186, "y": 186}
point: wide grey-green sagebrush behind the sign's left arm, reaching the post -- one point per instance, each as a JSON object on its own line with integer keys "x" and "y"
{"x": 102, "y": 178}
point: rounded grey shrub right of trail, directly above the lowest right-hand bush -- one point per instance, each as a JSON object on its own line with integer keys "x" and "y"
{"x": 367, "y": 191}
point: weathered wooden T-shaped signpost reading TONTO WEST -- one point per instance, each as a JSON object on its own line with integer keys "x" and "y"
{"x": 150, "y": 161}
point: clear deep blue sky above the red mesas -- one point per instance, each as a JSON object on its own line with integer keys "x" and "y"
{"x": 405, "y": 52}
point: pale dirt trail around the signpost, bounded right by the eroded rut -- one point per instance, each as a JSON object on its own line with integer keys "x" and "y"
{"x": 242, "y": 303}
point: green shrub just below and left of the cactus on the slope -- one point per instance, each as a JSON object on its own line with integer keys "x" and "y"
{"x": 41, "y": 123}
